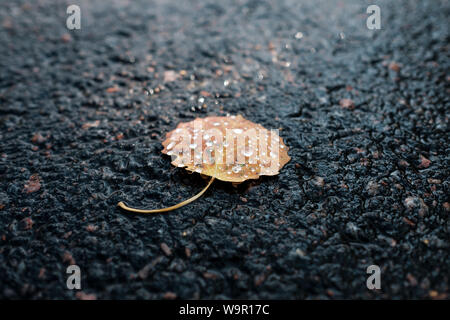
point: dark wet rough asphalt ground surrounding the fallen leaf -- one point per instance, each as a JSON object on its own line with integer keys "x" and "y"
{"x": 364, "y": 112}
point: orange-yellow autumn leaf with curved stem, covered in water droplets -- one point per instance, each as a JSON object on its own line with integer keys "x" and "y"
{"x": 228, "y": 148}
